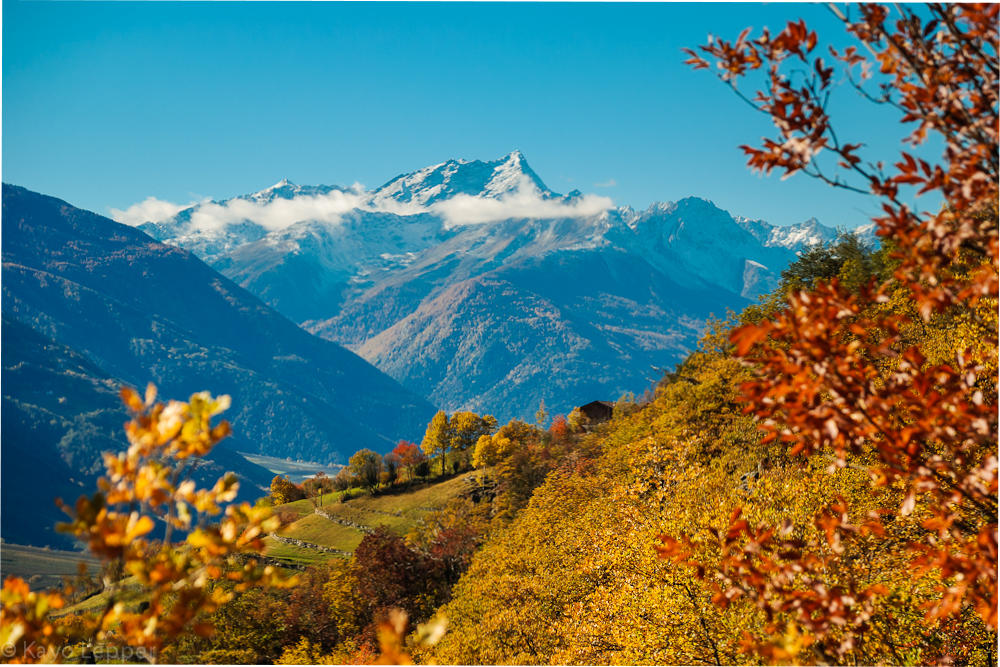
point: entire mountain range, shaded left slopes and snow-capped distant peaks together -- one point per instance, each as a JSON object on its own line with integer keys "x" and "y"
{"x": 466, "y": 285}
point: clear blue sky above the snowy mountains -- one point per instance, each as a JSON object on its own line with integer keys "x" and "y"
{"x": 105, "y": 104}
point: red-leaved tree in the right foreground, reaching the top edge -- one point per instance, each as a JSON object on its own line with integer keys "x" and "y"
{"x": 844, "y": 374}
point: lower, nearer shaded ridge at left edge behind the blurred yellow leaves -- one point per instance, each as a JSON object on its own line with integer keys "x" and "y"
{"x": 59, "y": 413}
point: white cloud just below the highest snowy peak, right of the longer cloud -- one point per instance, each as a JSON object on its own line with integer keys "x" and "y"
{"x": 523, "y": 203}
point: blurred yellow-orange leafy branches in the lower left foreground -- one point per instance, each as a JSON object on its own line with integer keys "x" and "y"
{"x": 145, "y": 487}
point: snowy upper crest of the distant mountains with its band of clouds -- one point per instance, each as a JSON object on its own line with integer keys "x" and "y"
{"x": 459, "y": 192}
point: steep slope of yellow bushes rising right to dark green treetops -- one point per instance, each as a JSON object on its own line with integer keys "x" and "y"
{"x": 614, "y": 559}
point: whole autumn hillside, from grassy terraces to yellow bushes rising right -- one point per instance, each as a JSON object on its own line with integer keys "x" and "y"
{"x": 671, "y": 533}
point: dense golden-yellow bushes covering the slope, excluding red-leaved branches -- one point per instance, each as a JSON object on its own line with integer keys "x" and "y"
{"x": 575, "y": 579}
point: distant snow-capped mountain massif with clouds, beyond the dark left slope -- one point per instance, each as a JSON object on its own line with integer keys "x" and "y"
{"x": 475, "y": 285}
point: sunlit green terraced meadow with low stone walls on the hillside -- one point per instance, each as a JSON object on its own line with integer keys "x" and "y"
{"x": 398, "y": 512}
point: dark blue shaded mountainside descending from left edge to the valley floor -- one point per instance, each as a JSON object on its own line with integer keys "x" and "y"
{"x": 129, "y": 309}
